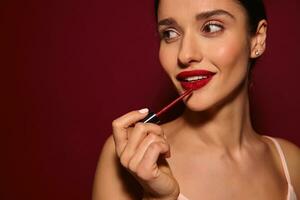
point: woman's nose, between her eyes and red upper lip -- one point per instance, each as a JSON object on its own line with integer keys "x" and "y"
{"x": 190, "y": 51}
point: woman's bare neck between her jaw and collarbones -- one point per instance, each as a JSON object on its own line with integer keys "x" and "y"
{"x": 226, "y": 126}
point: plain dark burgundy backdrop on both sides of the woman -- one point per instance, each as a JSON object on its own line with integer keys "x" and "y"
{"x": 69, "y": 67}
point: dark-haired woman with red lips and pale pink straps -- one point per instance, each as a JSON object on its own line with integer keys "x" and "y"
{"x": 210, "y": 46}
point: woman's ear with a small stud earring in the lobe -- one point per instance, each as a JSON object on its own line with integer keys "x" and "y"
{"x": 258, "y": 41}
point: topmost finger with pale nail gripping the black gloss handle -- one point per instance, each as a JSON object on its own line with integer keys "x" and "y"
{"x": 121, "y": 124}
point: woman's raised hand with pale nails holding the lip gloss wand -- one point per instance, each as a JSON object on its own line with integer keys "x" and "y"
{"x": 142, "y": 149}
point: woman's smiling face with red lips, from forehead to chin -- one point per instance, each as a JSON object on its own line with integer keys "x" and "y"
{"x": 204, "y": 45}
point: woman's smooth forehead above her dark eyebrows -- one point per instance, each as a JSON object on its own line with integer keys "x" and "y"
{"x": 179, "y": 9}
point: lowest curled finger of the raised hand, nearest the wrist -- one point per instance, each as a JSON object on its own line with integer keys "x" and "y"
{"x": 148, "y": 168}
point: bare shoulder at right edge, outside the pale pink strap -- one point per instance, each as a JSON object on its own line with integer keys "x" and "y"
{"x": 292, "y": 154}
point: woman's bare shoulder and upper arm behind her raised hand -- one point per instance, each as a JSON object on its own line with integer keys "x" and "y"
{"x": 111, "y": 180}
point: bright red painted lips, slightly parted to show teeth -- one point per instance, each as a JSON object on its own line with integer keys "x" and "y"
{"x": 195, "y": 79}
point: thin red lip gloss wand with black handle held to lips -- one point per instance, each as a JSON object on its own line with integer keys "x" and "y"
{"x": 154, "y": 117}
